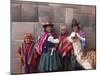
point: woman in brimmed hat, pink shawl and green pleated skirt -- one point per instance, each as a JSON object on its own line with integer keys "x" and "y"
{"x": 46, "y": 47}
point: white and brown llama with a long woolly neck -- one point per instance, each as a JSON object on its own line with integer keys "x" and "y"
{"x": 86, "y": 58}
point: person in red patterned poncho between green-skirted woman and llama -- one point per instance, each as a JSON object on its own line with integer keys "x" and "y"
{"x": 64, "y": 47}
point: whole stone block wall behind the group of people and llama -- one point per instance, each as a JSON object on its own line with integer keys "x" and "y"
{"x": 27, "y": 16}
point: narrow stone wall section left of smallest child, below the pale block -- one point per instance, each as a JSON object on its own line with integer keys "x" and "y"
{"x": 15, "y": 60}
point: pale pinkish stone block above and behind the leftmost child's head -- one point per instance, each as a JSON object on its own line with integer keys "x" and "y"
{"x": 20, "y": 28}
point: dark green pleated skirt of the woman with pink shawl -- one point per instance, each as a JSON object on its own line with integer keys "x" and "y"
{"x": 49, "y": 62}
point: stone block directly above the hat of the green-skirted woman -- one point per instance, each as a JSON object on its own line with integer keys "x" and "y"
{"x": 46, "y": 13}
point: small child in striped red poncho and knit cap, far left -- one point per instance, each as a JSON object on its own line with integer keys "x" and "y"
{"x": 28, "y": 54}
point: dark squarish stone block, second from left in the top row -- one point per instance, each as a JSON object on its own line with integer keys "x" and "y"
{"x": 29, "y": 13}
